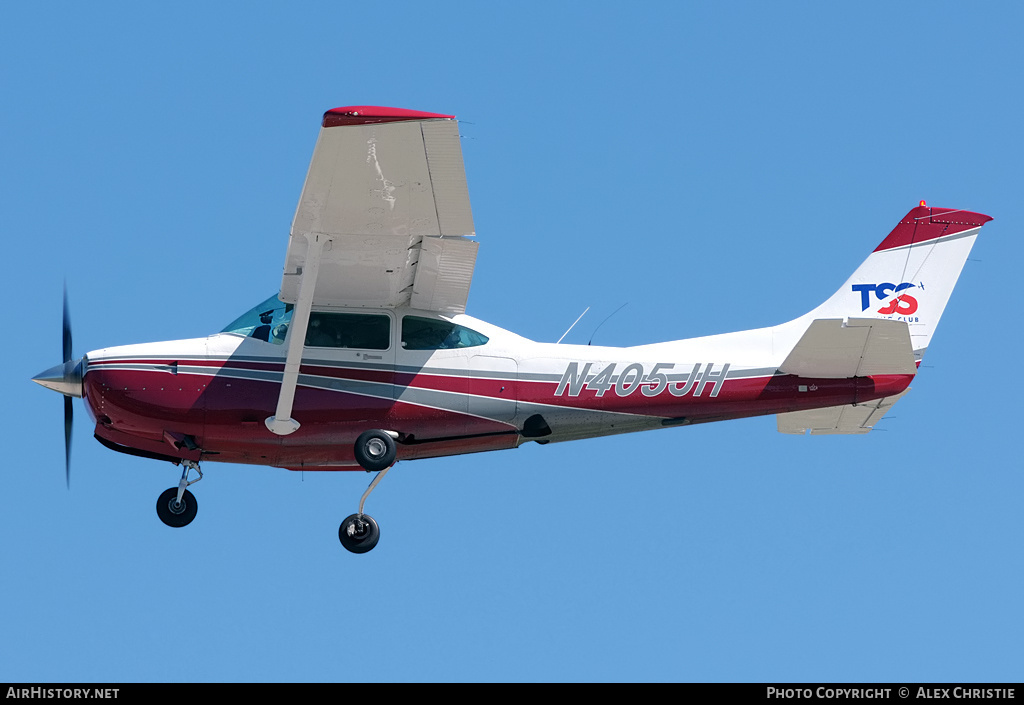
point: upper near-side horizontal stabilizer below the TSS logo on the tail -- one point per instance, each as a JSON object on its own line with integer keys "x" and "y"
{"x": 834, "y": 349}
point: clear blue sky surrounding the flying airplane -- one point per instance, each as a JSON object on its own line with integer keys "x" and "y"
{"x": 717, "y": 167}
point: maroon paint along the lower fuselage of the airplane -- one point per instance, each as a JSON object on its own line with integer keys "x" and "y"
{"x": 226, "y": 414}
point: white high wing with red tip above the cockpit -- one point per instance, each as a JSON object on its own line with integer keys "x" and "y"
{"x": 387, "y": 198}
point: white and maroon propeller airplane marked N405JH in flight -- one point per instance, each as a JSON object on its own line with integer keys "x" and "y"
{"x": 366, "y": 356}
